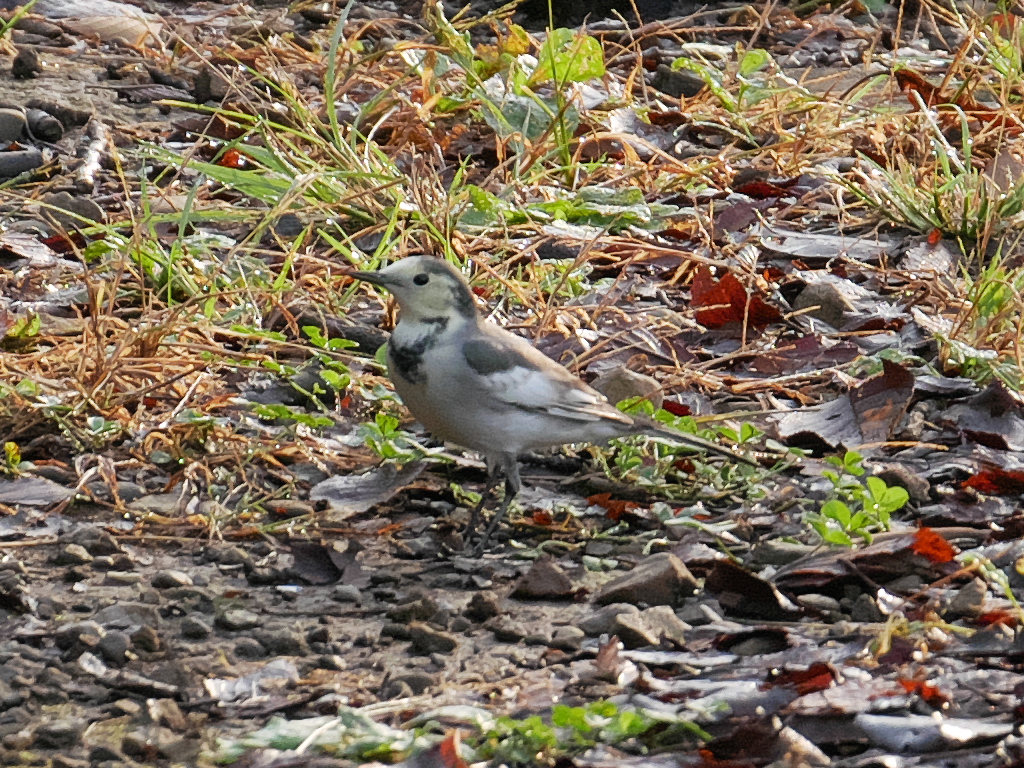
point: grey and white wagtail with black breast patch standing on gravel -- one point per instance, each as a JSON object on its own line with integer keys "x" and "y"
{"x": 482, "y": 388}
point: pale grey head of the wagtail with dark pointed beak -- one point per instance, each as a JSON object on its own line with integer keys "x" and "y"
{"x": 426, "y": 288}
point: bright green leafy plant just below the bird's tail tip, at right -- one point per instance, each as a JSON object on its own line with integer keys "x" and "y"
{"x": 859, "y": 509}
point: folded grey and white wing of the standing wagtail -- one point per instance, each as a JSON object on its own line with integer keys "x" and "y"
{"x": 515, "y": 373}
